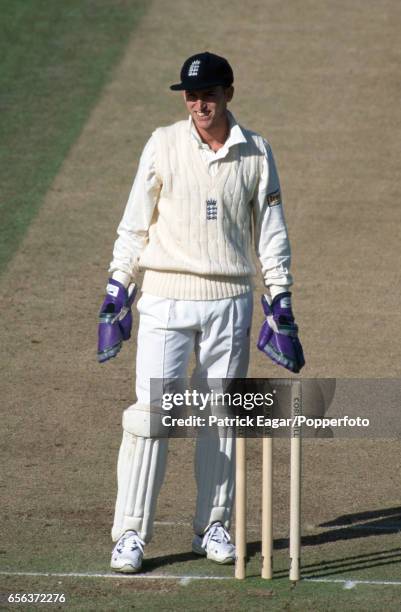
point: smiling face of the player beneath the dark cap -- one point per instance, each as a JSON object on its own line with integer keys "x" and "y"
{"x": 208, "y": 106}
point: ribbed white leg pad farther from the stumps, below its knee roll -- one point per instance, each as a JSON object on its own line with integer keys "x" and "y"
{"x": 140, "y": 473}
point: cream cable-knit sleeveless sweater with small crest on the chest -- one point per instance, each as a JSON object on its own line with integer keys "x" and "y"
{"x": 200, "y": 238}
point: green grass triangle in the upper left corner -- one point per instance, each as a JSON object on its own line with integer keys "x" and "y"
{"x": 56, "y": 57}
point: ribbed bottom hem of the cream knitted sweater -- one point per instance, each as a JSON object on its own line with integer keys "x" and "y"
{"x": 183, "y": 286}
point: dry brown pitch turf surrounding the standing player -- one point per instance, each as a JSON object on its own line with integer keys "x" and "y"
{"x": 321, "y": 81}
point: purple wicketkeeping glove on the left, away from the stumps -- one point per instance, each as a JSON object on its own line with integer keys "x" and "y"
{"x": 115, "y": 319}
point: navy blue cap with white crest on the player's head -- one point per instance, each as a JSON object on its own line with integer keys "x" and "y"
{"x": 204, "y": 70}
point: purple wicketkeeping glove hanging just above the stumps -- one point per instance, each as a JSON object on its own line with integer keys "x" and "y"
{"x": 278, "y": 337}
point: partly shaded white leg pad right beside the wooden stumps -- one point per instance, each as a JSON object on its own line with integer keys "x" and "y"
{"x": 214, "y": 472}
